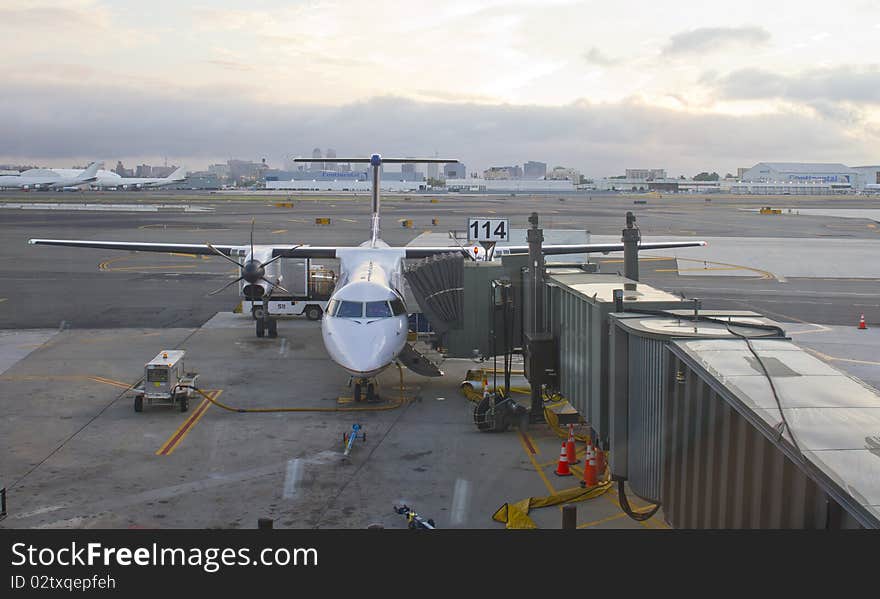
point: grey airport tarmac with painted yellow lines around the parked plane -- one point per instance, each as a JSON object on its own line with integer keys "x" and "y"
{"x": 78, "y": 325}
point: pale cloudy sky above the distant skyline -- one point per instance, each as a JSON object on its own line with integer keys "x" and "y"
{"x": 600, "y": 86}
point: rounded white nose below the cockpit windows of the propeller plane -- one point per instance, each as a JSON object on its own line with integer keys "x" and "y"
{"x": 364, "y": 347}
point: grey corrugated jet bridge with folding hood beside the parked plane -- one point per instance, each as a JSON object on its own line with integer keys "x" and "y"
{"x": 715, "y": 416}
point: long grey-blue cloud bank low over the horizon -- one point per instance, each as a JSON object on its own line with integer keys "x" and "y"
{"x": 52, "y": 124}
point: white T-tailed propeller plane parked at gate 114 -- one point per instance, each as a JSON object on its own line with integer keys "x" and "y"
{"x": 366, "y": 323}
